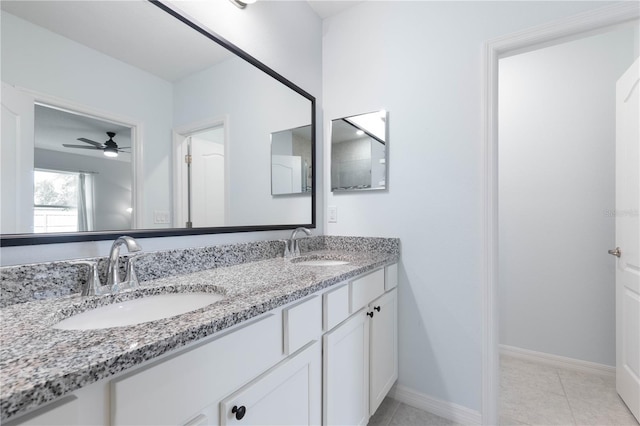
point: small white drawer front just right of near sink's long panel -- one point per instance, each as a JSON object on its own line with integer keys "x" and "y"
{"x": 302, "y": 323}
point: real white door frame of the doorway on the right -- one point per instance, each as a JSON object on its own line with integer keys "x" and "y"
{"x": 582, "y": 25}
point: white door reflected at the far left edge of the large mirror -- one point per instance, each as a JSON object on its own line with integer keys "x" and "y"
{"x": 16, "y": 156}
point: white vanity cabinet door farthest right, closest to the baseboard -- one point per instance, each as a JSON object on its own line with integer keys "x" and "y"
{"x": 383, "y": 343}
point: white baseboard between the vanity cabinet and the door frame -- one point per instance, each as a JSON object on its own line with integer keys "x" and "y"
{"x": 448, "y": 410}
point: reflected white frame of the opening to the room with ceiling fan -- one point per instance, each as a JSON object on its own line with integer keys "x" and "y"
{"x": 137, "y": 132}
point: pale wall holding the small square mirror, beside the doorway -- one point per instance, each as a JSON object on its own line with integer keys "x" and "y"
{"x": 422, "y": 62}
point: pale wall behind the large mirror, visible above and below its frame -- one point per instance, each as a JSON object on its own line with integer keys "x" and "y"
{"x": 286, "y": 36}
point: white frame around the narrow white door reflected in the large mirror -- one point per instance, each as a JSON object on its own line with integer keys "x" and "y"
{"x": 180, "y": 134}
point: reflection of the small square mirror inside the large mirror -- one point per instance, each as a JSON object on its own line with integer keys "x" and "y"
{"x": 291, "y": 171}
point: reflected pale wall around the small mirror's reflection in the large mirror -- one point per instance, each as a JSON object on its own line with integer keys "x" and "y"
{"x": 223, "y": 91}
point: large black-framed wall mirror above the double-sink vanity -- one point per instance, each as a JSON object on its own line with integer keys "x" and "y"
{"x": 125, "y": 117}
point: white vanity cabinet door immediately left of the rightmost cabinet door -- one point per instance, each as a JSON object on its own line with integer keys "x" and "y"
{"x": 346, "y": 372}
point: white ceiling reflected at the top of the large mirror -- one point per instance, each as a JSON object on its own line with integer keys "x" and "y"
{"x": 183, "y": 52}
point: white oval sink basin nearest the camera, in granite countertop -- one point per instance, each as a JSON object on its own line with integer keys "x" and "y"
{"x": 137, "y": 311}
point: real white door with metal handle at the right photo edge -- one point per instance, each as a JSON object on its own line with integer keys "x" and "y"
{"x": 628, "y": 238}
